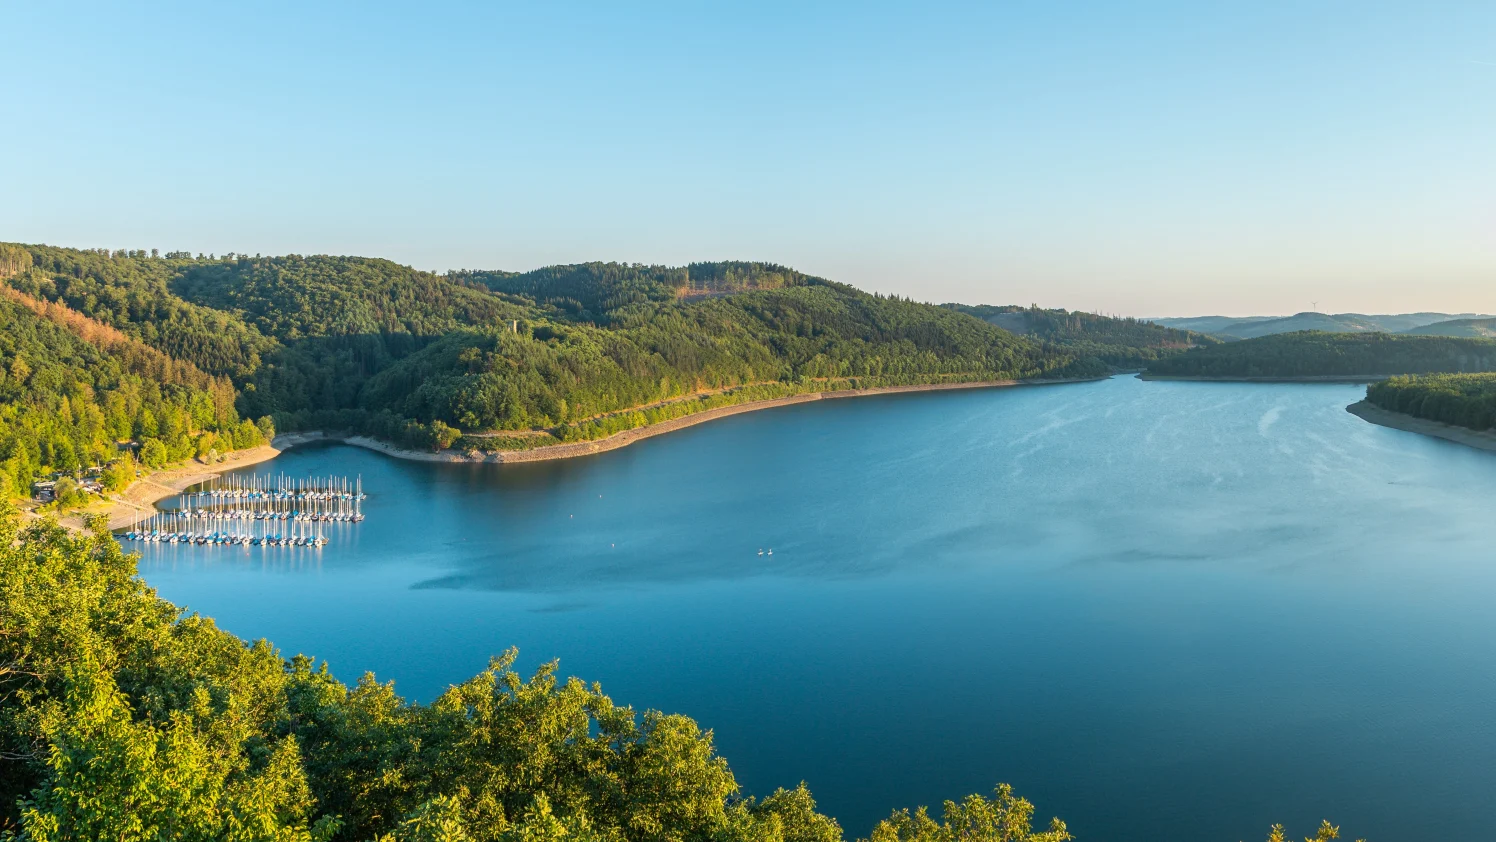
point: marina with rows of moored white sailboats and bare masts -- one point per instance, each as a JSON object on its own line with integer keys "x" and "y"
{"x": 255, "y": 511}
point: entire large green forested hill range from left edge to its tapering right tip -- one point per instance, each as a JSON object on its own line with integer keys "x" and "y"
{"x": 421, "y": 358}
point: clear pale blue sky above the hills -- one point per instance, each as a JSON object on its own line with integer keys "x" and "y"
{"x": 1145, "y": 158}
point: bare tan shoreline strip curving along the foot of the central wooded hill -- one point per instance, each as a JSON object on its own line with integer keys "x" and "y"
{"x": 628, "y": 437}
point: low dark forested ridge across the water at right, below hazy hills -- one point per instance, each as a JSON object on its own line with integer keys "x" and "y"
{"x": 1313, "y": 354}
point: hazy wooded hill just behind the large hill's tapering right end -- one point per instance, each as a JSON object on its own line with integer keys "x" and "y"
{"x": 1123, "y": 343}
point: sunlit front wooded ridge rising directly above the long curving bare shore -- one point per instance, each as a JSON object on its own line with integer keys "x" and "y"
{"x": 807, "y": 337}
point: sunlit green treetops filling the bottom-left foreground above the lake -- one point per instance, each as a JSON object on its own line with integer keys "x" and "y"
{"x": 125, "y": 720}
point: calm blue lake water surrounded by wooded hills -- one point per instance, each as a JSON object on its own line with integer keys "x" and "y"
{"x": 1160, "y": 611}
